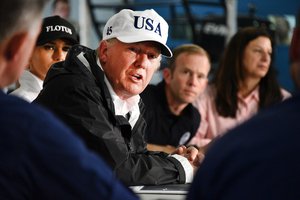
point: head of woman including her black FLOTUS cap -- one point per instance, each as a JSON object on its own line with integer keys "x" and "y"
{"x": 56, "y": 38}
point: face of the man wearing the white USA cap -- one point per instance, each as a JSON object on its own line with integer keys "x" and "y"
{"x": 129, "y": 67}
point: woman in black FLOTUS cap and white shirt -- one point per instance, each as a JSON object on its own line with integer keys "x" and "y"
{"x": 56, "y": 38}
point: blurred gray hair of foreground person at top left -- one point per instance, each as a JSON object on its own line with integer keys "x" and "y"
{"x": 18, "y": 15}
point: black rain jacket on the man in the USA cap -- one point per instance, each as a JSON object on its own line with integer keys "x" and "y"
{"x": 78, "y": 95}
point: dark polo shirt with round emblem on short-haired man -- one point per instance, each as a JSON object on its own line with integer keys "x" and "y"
{"x": 163, "y": 127}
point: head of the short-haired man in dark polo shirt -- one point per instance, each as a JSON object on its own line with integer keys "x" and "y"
{"x": 187, "y": 73}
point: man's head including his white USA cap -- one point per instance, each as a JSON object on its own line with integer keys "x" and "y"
{"x": 130, "y": 52}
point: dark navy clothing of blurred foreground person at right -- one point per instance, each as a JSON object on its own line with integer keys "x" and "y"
{"x": 258, "y": 160}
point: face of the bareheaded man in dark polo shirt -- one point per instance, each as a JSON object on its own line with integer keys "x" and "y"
{"x": 189, "y": 77}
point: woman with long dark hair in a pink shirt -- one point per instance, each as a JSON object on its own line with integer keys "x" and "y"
{"x": 245, "y": 82}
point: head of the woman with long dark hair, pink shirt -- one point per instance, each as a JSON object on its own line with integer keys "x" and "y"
{"x": 248, "y": 55}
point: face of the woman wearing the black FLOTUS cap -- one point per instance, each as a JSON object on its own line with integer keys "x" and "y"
{"x": 45, "y": 55}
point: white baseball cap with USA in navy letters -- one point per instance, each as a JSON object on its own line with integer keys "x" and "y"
{"x": 130, "y": 26}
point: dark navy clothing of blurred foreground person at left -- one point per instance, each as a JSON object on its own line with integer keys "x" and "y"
{"x": 42, "y": 159}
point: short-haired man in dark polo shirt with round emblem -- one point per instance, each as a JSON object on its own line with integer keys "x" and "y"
{"x": 171, "y": 118}
